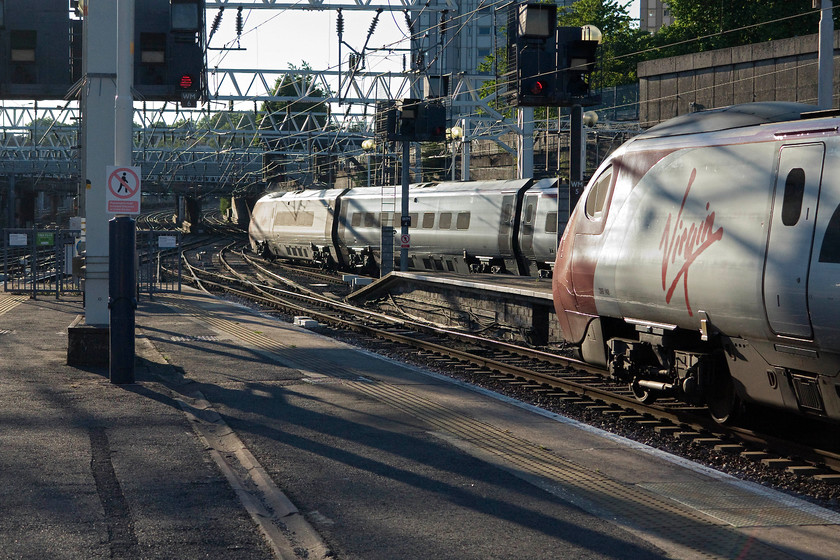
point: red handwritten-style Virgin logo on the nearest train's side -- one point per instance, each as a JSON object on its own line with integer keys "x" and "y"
{"x": 682, "y": 243}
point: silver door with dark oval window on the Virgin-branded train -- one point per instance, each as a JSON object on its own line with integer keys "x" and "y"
{"x": 791, "y": 234}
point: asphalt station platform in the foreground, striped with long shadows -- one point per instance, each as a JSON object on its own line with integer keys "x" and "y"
{"x": 247, "y": 437}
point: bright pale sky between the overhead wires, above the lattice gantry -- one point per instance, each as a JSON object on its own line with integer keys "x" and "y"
{"x": 274, "y": 39}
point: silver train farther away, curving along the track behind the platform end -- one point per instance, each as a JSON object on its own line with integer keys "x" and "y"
{"x": 503, "y": 226}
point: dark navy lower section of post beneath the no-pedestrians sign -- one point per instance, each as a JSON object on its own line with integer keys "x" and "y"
{"x": 121, "y": 298}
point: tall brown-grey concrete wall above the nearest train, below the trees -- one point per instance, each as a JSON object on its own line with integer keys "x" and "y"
{"x": 783, "y": 70}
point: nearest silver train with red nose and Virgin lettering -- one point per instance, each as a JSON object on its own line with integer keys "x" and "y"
{"x": 703, "y": 261}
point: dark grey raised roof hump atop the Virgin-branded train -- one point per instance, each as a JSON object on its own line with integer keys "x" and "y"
{"x": 725, "y": 118}
